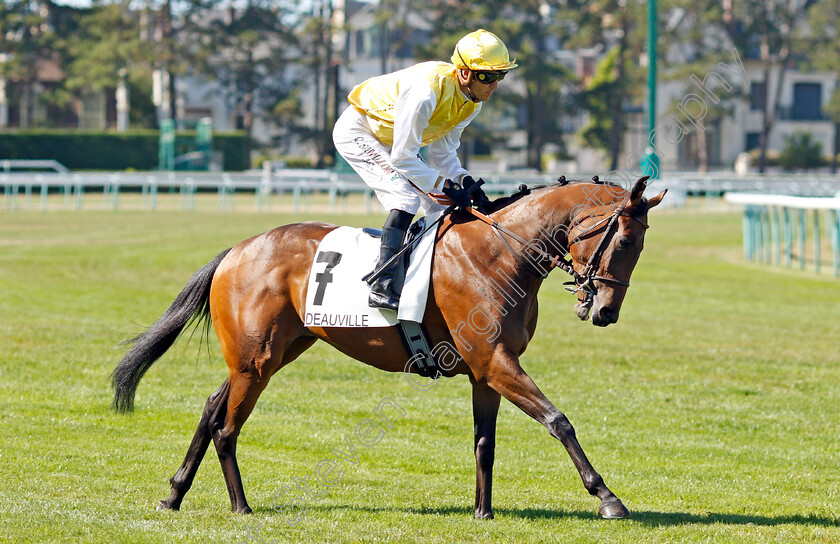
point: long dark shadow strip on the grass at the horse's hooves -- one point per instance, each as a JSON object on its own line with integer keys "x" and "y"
{"x": 641, "y": 517}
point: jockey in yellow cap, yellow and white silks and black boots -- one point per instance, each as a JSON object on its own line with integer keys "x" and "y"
{"x": 394, "y": 115}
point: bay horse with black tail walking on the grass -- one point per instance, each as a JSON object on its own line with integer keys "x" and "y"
{"x": 254, "y": 293}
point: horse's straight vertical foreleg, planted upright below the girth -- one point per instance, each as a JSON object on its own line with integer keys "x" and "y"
{"x": 485, "y": 410}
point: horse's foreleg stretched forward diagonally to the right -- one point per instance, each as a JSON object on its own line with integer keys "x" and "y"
{"x": 508, "y": 378}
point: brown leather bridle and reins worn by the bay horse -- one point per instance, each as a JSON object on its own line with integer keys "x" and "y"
{"x": 581, "y": 282}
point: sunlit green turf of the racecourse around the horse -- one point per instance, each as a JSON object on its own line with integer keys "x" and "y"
{"x": 711, "y": 408}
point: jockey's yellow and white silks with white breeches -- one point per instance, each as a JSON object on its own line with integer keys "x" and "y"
{"x": 391, "y": 117}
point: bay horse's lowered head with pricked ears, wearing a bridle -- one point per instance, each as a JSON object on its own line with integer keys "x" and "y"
{"x": 605, "y": 245}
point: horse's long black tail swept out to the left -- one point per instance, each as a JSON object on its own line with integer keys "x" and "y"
{"x": 192, "y": 304}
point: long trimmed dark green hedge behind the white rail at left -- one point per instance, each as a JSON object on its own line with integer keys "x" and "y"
{"x": 99, "y": 150}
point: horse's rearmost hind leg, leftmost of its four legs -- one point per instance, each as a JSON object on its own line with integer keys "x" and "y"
{"x": 182, "y": 481}
